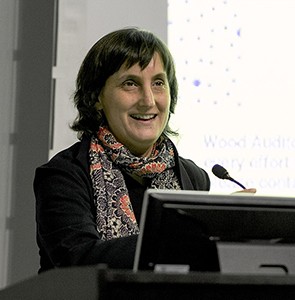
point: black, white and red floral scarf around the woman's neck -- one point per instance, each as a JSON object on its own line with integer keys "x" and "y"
{"x": 108, "y": 158}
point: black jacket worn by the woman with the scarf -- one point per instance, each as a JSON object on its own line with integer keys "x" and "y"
{"x": 65, "y": 211}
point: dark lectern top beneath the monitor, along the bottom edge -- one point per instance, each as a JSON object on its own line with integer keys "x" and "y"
{"x": 89, "y": 283}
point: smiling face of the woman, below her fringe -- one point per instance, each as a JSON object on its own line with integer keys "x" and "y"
{"x": 136, "y": 105}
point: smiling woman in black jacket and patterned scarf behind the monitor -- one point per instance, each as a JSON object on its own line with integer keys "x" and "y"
{"x": 89, "y": 196}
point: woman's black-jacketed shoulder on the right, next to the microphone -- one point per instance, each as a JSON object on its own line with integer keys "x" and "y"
{"x": 197, "y": 176}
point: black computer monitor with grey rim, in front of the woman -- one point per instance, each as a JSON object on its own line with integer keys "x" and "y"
{"x": 183, "y": 231}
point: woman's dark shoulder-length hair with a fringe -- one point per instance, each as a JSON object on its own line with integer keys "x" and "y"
{"x": 107, "y": 55}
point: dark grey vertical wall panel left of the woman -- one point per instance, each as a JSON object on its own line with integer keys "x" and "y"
{"x": 32, "y": 126}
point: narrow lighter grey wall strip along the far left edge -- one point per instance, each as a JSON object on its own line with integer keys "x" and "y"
{"x": 7, "y": 81}
